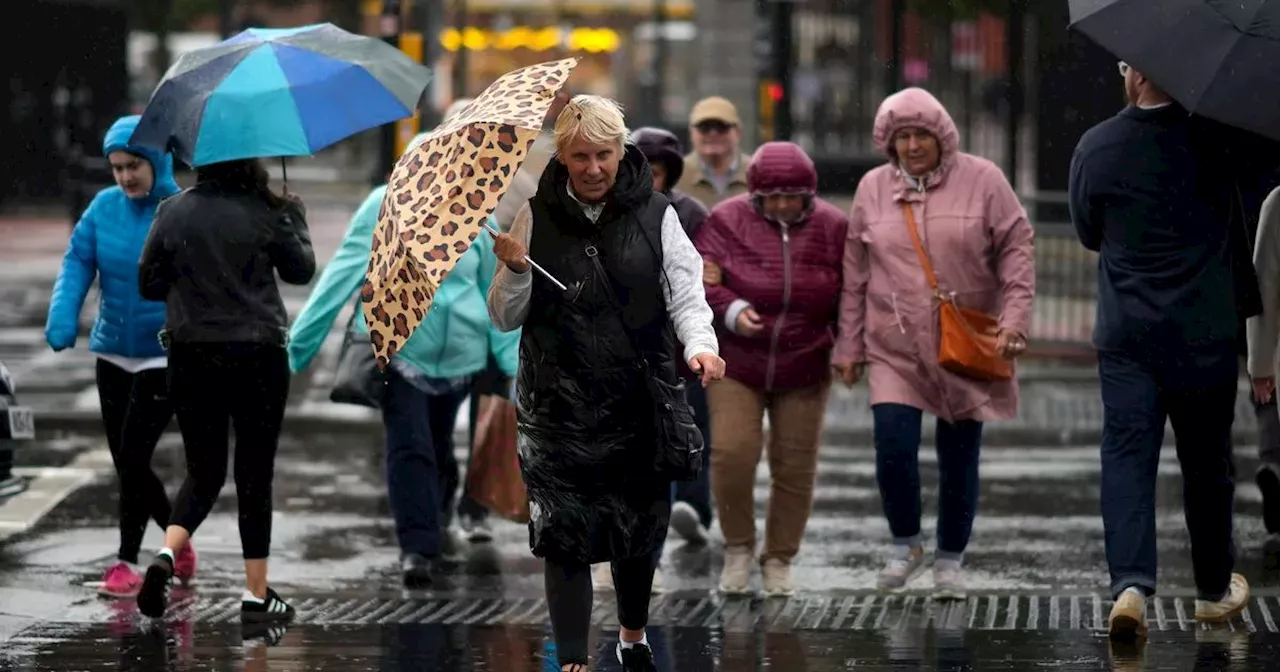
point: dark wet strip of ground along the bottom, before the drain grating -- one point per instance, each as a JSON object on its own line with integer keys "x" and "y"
{"x": 129, "y": 646}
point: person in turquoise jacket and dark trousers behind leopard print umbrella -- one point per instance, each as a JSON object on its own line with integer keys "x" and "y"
{"x": 427, "y": 383}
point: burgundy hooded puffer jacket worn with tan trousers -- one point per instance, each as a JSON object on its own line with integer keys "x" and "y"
{"x": 789, "y": 275}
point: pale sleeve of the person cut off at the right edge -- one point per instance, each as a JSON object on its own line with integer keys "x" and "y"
{"x": 1264, "y": 331}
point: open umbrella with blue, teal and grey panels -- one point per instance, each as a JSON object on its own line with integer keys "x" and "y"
{"x": 278, "y": 93}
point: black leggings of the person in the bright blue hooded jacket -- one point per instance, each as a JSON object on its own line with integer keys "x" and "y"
{"x": 136, "y": 410}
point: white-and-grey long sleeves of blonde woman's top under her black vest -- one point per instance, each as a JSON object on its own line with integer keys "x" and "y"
{"x": 682, "y": 285}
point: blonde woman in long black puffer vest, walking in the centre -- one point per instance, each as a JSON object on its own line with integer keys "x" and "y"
{"x": 586, "y": 454}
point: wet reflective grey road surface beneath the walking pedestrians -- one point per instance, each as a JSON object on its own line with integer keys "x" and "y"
{"x": 1036, "y": 574}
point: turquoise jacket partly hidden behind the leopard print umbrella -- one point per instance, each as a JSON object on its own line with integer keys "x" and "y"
{"x": 456, "y": 337}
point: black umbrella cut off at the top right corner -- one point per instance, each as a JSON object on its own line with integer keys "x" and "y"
{"x": 1218, "y": 58}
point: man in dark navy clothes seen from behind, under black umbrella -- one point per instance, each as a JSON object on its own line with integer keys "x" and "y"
{"x": 1154, "y": 190}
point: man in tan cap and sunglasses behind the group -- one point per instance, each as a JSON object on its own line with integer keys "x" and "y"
{"x": 717, "y": 168}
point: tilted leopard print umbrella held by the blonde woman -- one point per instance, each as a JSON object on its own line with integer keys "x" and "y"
{"x": 441, "y": 194}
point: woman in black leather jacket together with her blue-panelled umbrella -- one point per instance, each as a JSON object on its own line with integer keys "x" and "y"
{"x": 216, "y": 252}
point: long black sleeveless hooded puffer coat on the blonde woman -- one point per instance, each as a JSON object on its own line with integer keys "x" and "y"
{"x": 587, "y": 447}
